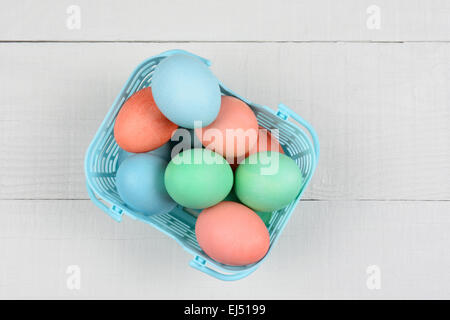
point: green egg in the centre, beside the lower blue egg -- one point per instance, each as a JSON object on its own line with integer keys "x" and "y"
{"x": 198, "y": 178}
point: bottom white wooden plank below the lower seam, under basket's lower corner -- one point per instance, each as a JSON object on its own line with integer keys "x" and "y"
{"x": 324, "y": 252}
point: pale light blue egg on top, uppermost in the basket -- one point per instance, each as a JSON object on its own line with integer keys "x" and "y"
{"x": 185, "y": 90}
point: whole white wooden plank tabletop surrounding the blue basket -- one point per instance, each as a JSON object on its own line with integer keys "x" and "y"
{"x": 373, "y": 77}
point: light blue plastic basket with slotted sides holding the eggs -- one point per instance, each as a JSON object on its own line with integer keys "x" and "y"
{"x": 101, "y": 166}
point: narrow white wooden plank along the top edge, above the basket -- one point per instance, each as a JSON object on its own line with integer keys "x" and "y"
{"x": 234, "y": 20}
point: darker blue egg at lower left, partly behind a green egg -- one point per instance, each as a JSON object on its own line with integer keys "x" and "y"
{"x": 140, "y": 184}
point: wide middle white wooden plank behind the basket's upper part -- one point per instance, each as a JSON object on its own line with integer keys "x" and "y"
{"x": 381, "y": 111}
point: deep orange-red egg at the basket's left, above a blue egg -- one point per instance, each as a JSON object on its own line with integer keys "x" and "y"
{"x": 140, "y": 126}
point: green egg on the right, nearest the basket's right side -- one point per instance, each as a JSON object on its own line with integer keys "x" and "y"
{"x": 268, "y": 181}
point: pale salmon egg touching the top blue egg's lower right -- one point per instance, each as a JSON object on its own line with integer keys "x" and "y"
{"x": 234, "y": 132}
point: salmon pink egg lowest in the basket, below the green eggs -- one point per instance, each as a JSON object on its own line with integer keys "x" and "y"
{"x": 232, "y": 233}
